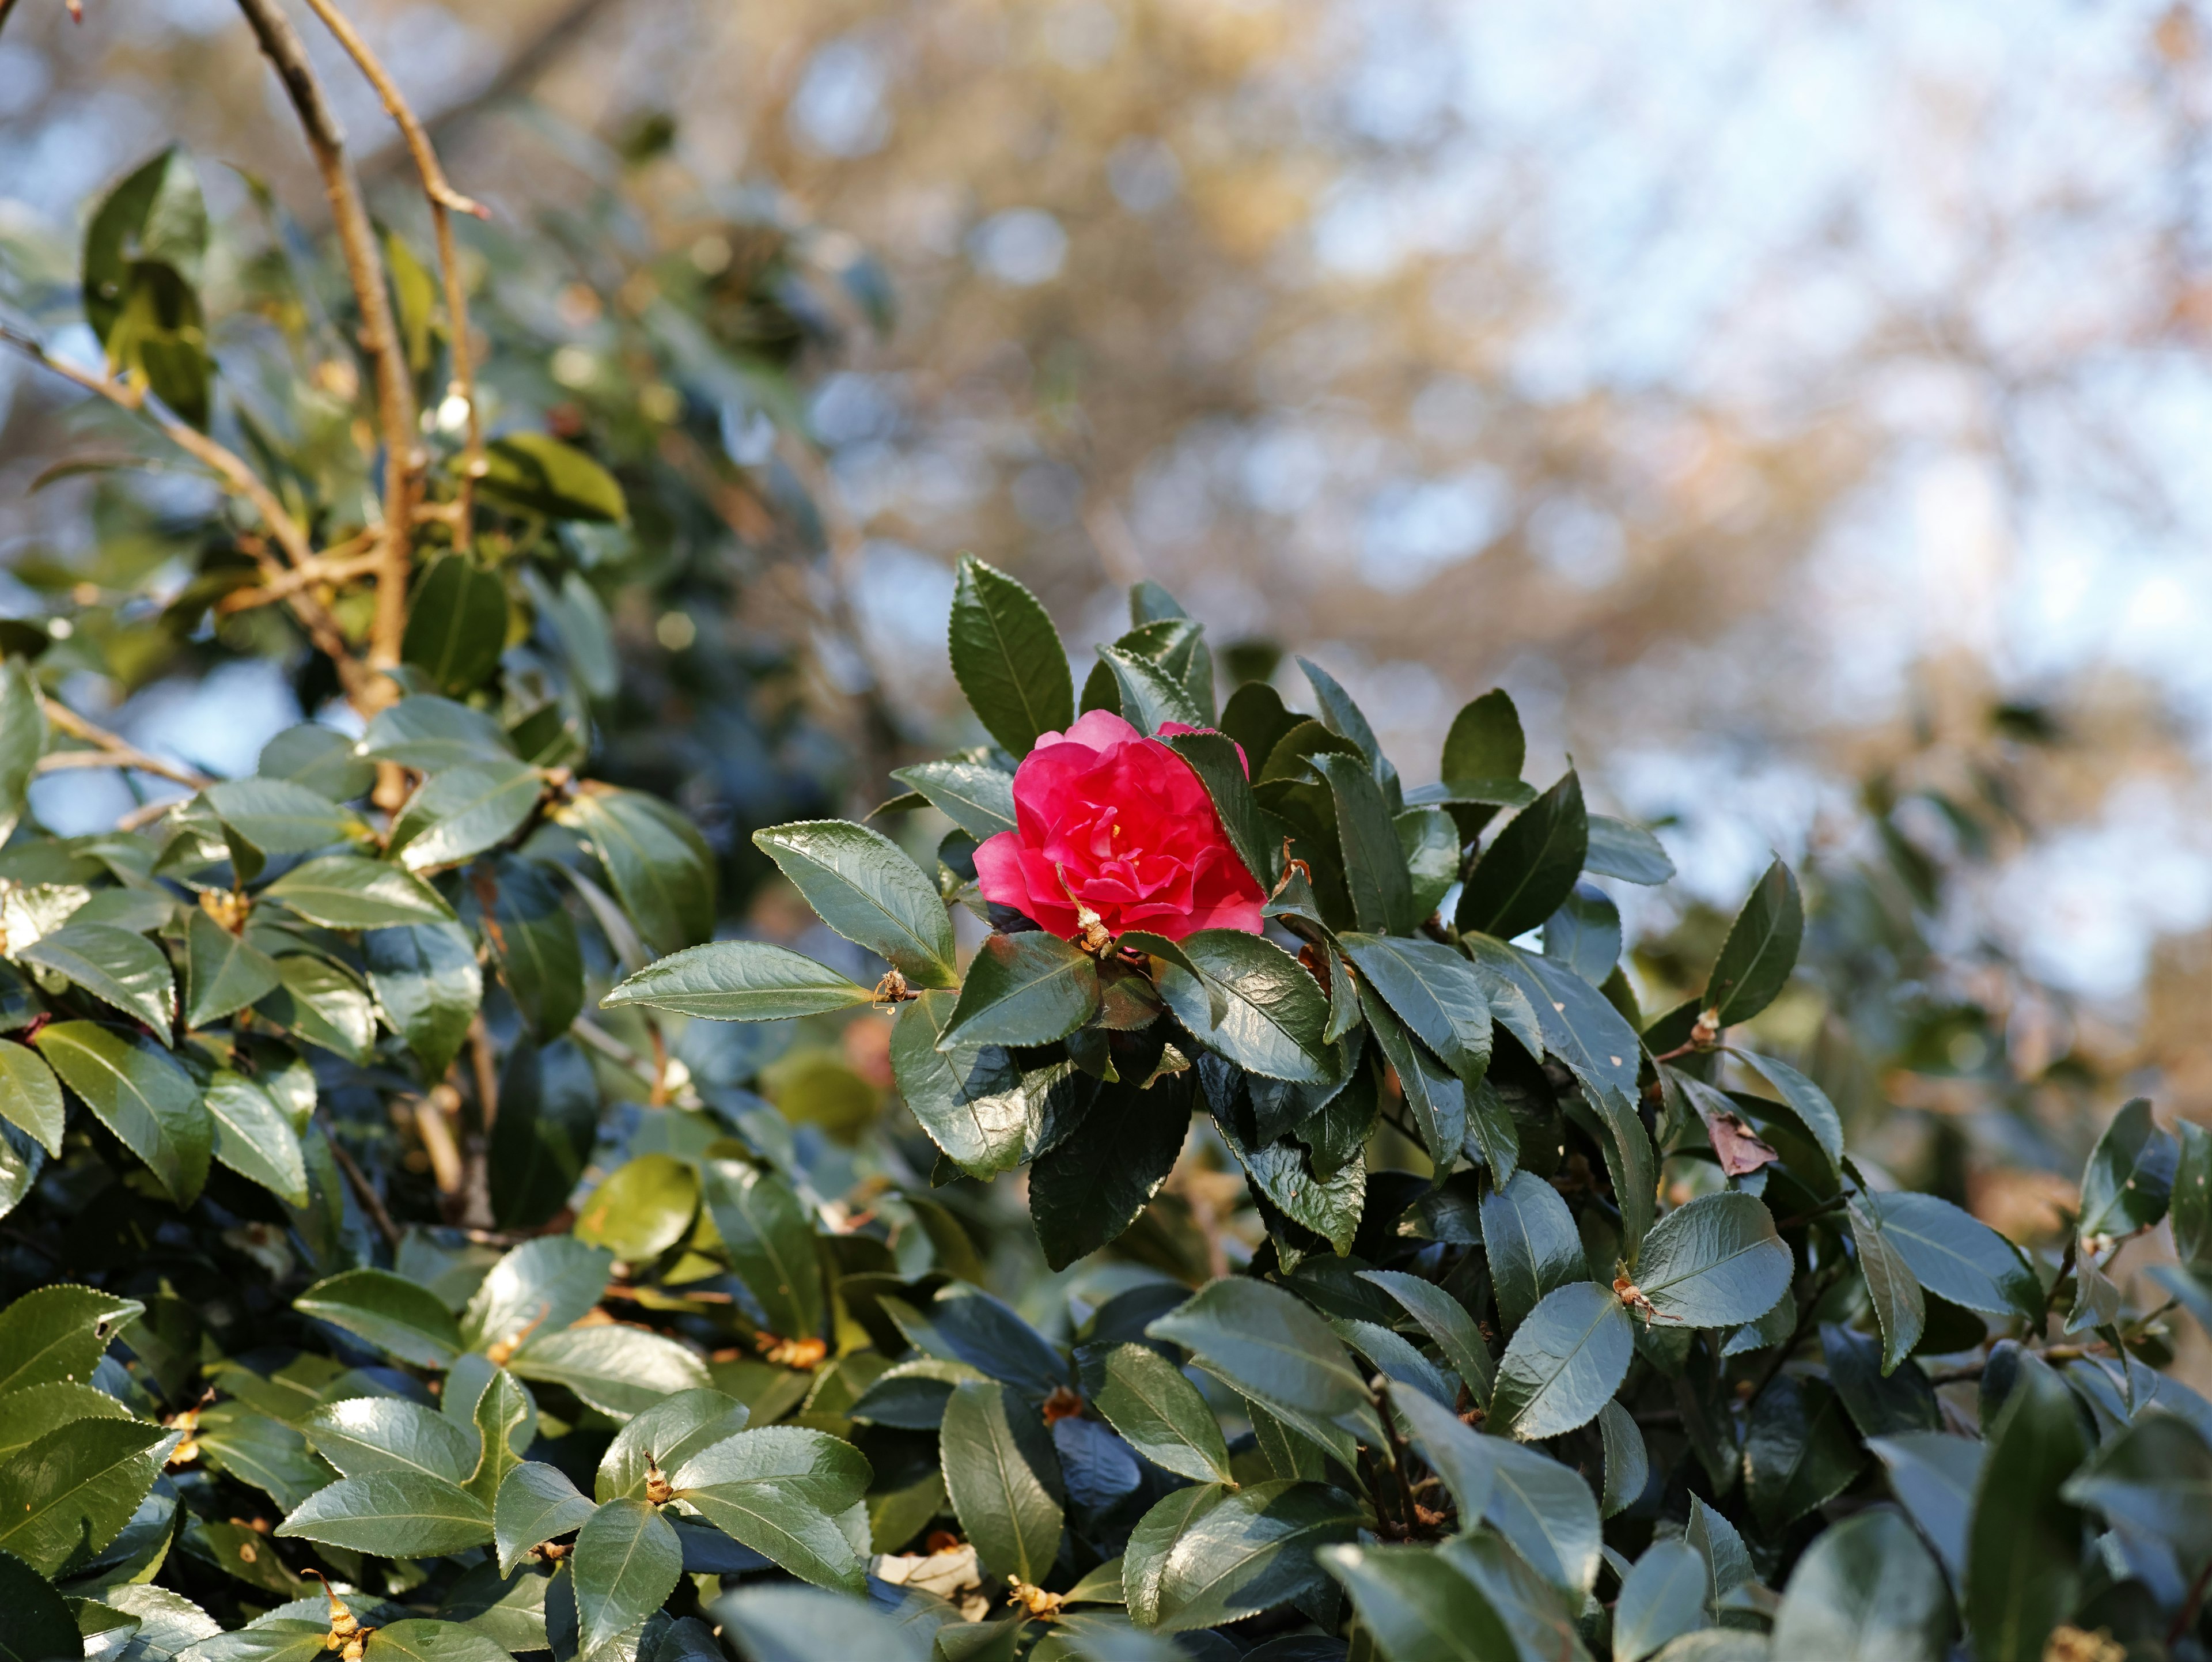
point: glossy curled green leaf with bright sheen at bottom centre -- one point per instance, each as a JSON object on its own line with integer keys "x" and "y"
{"x": 1253, "y": 1552}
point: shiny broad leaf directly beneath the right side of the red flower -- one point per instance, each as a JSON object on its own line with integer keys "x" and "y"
{"x": 1273, "y": 1010}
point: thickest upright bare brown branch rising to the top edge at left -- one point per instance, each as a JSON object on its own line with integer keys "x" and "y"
{"x": 379, "y": 335}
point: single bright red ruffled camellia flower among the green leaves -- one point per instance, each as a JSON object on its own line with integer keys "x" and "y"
{"x": 1116, "y": 824}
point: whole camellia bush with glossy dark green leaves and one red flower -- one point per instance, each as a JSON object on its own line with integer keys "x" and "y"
{"x": 1275, "y": 1232}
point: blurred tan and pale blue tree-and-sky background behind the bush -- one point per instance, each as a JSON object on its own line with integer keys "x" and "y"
{"x": 1802, "y": 408}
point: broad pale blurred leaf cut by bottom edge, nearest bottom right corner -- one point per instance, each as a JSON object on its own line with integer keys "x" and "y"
{"x": 1866, "y": 1592}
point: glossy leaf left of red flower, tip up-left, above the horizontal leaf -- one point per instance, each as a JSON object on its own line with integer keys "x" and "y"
{"x": 866, "y": 889}
